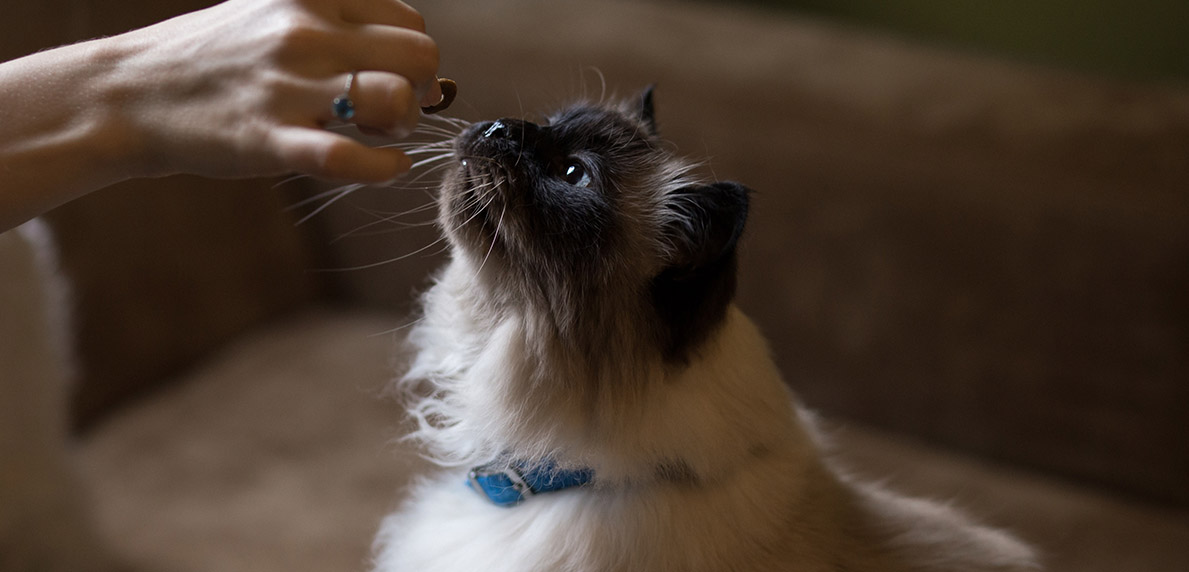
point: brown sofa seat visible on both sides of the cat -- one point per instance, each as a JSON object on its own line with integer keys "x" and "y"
{"x": 279, "y": 456}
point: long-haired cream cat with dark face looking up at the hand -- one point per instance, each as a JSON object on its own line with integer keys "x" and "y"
{"x": 581, "y": 351}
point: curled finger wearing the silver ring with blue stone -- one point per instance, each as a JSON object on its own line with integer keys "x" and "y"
{"x": 383, "y": 102}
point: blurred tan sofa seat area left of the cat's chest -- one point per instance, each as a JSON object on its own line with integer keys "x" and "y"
{"x": 276, "y": 455}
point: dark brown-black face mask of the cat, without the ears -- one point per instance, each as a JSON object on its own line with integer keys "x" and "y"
{"x": 555, "y": 190}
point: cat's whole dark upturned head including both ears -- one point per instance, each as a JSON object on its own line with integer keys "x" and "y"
{"x": 589, "y": 219}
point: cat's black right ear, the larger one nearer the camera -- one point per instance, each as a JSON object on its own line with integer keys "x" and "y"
{"x": 693, "y": 296}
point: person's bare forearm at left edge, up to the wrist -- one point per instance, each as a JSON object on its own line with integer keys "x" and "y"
{"x": 61, "y": 129}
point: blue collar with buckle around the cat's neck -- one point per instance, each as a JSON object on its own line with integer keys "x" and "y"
{"x": 509, "y": 483}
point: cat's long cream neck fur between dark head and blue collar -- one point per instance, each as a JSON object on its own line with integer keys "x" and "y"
{"x": 494, "y": 391}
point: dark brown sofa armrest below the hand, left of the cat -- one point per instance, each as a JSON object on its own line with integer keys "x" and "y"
{"x": 166, "y": 271}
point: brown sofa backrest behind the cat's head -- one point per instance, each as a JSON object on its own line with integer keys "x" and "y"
{"x": 985, "y": 255}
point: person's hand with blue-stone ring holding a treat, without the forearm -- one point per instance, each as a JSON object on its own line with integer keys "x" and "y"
{"x": 244, "y": 89}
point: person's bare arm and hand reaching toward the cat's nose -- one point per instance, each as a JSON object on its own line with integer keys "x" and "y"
{"x": 238, "y": 90}
